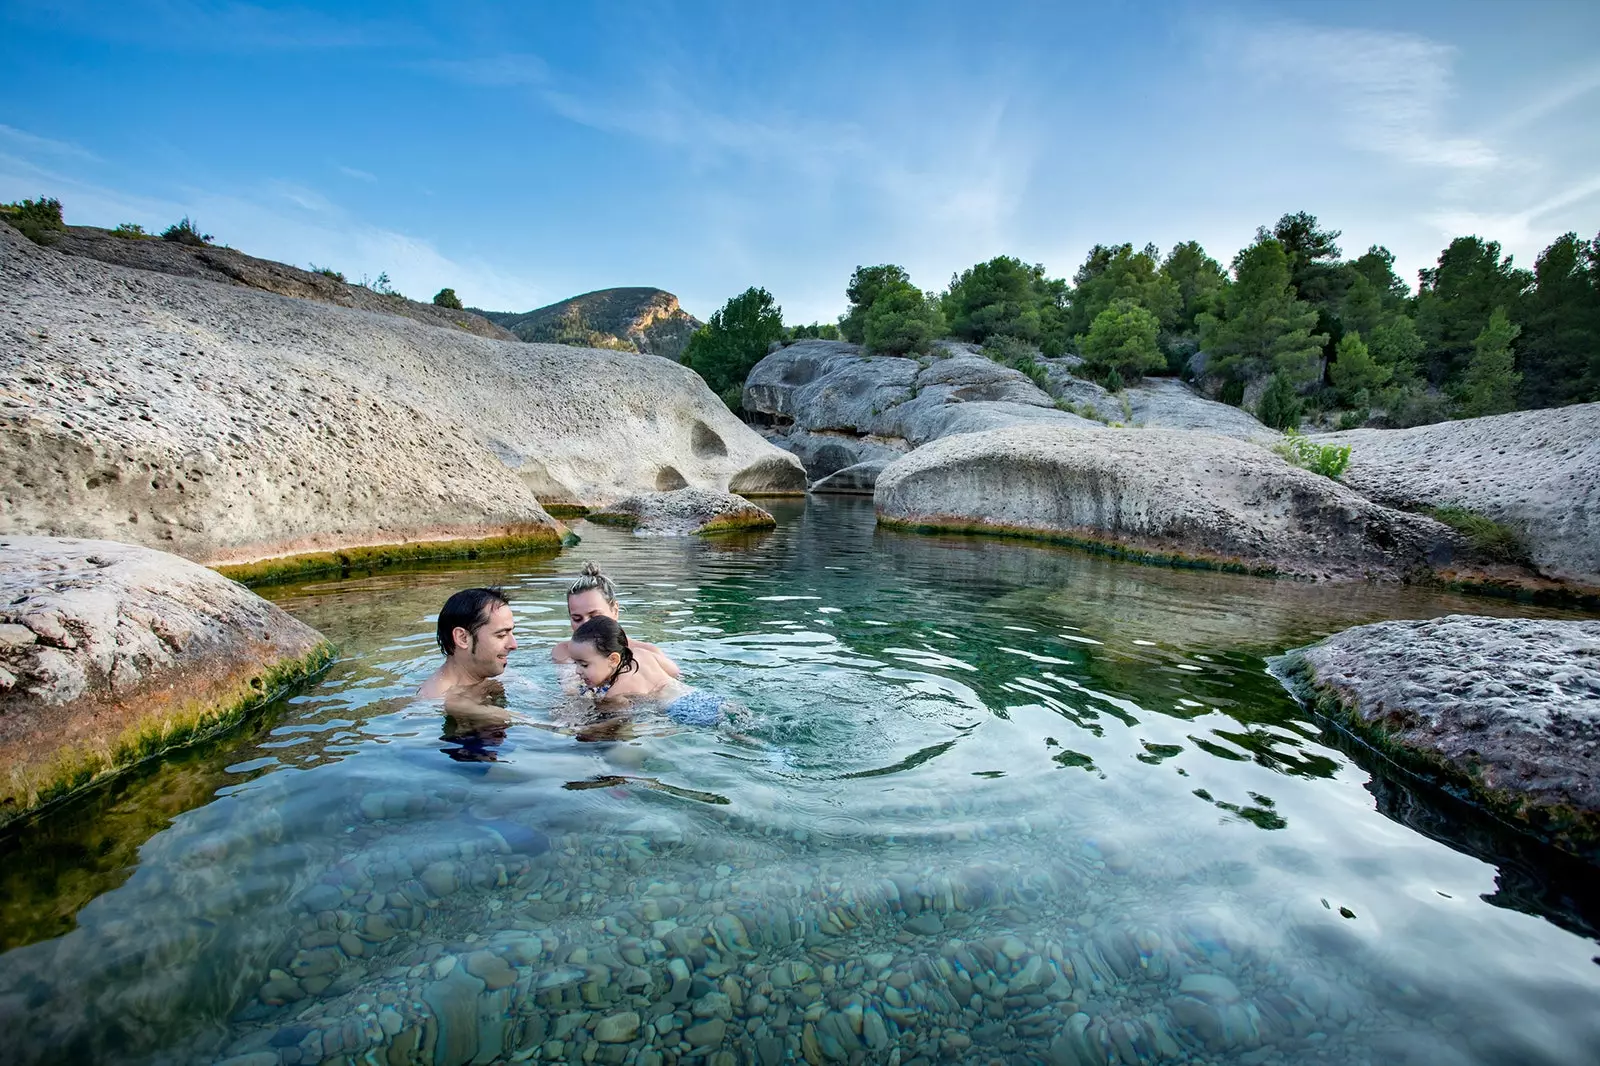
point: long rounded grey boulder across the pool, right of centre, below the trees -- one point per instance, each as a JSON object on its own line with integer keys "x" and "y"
{"x": 1159, "y": 495}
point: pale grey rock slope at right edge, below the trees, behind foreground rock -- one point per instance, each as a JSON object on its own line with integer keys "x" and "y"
{"x": 1535, "y": 471}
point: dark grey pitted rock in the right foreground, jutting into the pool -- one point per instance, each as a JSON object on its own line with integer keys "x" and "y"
{"x": 1506, "y": 707}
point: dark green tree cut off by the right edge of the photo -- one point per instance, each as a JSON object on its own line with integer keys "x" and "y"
{"x": 1559, "y": 350}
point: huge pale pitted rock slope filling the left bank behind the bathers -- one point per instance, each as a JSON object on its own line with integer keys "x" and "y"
{"x": 230, "y": 425}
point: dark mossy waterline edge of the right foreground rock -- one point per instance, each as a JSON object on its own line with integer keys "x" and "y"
{"x": 1559, "y": 825}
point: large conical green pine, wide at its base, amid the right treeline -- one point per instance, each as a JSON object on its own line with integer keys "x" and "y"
{"x": 1263, "y": 329}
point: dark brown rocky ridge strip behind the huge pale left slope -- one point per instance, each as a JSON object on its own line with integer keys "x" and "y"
{"x": 210, "y": 263}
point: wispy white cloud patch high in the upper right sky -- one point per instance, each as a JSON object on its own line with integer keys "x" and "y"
{"x": 1388, "y": 92}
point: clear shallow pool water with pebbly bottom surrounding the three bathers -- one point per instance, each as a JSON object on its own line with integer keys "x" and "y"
{"x": 988, "y": 803}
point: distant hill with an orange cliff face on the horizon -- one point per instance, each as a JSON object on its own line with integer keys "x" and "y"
{"x": 631, "y": 319}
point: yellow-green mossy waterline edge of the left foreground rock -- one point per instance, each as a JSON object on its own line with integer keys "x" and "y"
{"x": 82, "y": 766}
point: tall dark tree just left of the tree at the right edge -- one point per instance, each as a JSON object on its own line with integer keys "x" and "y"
{"x": 1458, "y": 299}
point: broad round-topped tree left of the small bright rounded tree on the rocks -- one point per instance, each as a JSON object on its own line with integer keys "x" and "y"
{"x": 1007, "y": 297}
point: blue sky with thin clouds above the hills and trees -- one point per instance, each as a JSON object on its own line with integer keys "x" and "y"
{"x": 526, "y": 153}
